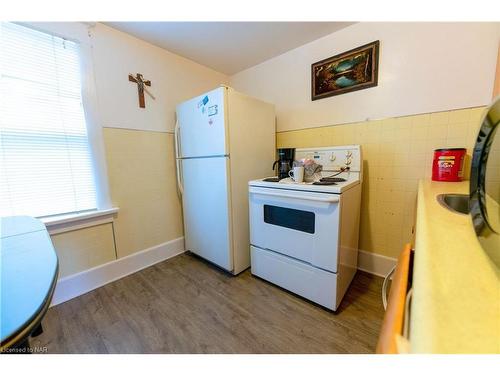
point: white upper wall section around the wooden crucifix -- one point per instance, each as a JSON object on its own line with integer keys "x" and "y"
{"x": 174, "y": 79}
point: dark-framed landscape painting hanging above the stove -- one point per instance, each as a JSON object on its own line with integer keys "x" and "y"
{"x": 353, "y": 70}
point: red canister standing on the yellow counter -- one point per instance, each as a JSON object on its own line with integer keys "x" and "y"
{"x": 448, "y": 164}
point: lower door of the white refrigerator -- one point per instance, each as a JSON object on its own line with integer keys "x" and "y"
{"x": 206, "y": 209}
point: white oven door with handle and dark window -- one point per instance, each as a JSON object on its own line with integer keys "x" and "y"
{"x": 302, "y": 225}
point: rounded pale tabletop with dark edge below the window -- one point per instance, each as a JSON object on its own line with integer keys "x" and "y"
{"x": 28, "y": 266}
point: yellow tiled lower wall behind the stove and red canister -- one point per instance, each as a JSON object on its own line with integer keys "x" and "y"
{"x": 397, "y": 152}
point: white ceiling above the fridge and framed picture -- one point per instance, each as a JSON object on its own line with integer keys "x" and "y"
{"x": 228, "y": 47}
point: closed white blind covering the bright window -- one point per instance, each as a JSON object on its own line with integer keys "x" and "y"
{"x": 45, "y": 160}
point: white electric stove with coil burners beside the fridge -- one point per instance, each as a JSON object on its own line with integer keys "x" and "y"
{"x": 304, "y": 236}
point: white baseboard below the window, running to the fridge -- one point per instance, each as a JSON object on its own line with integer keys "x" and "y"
{"x": 75, "y": 285}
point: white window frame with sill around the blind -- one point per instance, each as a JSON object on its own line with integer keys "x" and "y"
{"x": 81, "y": 33}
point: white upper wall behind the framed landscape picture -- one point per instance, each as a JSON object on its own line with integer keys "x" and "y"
{"x": 423, "y": 67}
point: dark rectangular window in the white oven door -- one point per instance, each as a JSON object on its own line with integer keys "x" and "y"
{"x": 303, "y": 221}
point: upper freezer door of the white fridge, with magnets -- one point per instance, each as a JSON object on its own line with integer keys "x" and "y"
{"x": 202, "y": 125}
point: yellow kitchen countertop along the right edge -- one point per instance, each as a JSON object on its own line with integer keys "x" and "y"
{"x": 456, "y": 287}
